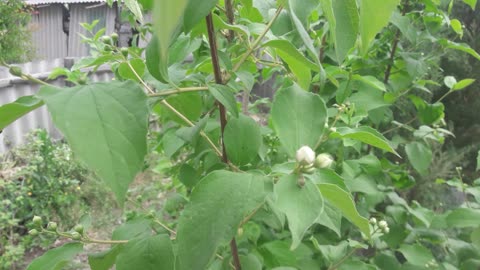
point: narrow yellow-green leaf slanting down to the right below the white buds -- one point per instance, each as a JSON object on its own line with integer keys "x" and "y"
{"x": 343, "y": 201}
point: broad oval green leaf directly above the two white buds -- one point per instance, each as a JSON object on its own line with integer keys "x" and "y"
{"x": 298, "y": 117}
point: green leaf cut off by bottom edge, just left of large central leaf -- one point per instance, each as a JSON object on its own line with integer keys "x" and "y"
{"x": 150, "y": 253}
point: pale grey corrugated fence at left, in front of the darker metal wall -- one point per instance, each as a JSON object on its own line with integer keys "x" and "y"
{"x": 11, "y": 88}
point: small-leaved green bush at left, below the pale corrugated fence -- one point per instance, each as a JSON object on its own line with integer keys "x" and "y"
{"x": 39, "y": 178}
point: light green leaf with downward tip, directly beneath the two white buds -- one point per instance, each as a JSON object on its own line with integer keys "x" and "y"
{"x": 302, "y": 205}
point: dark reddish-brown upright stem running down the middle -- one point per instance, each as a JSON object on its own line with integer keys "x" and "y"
{"x": 223, "y": 116}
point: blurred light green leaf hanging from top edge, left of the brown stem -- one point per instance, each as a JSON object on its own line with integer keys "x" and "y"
{"x": 167, "y": 22}
